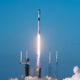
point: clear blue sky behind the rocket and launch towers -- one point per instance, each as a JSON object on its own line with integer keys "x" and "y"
{"x": 60, "y": 30}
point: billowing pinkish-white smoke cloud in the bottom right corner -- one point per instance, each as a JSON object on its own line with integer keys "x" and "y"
{"x": 76, "y": 75}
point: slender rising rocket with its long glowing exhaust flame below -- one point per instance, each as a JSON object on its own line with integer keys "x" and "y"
{"x": 38, "y": 47}
